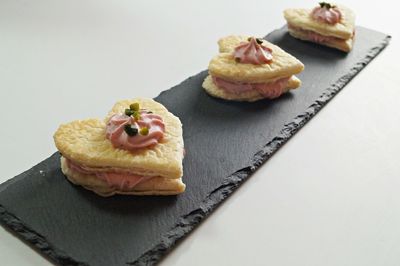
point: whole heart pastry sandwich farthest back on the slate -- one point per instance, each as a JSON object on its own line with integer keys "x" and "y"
{"x": 327, "y": 24}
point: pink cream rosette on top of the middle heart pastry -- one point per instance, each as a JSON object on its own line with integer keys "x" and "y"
{"x": 252, "y": 53}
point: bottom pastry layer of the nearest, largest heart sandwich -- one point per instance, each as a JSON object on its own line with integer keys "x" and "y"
{"x": 153, "y": 186}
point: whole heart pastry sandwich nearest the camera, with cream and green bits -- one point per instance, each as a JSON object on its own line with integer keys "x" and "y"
{"x": 137, "y": 149}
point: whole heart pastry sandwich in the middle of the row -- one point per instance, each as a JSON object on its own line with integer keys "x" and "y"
{"x": 250, "y": 69}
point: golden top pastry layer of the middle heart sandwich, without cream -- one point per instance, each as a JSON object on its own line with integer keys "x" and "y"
{"x": 224, "y": 65}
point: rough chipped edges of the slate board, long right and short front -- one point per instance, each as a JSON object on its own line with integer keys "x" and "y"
{"x": 189, "y": 221}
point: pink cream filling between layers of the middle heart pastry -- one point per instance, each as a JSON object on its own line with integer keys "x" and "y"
{"x": 269, "y": 90}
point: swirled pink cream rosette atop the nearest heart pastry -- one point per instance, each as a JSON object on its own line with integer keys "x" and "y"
{"x": 120, "y": 139}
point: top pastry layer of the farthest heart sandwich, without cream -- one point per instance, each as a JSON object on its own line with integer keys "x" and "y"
{"x": 300, "y": 17}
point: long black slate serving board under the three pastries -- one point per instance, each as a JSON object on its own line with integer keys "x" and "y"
{"x": 225, "y": 143}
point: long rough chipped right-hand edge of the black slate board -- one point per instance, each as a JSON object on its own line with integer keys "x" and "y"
{"x": 189, "y": 221}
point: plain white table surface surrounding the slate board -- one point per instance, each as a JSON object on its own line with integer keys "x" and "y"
{"x": 330, "y": 196}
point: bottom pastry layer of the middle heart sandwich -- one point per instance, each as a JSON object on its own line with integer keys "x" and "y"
{"x": 249, "y": 96}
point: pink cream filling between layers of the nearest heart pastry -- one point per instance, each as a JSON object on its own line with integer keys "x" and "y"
{"x": 122, "y": 180}
